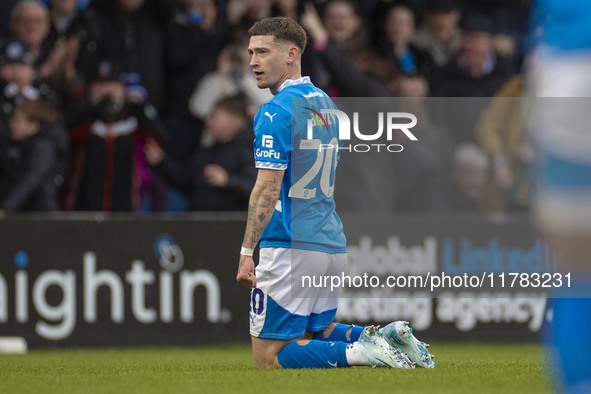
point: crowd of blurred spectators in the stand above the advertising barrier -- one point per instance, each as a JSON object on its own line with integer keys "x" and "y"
{"x": 146, "y": 105}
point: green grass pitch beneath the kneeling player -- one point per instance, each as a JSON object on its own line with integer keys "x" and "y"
{"x": 461, "y": 368}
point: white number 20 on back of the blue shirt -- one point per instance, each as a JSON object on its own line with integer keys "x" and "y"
{"x": 326, "y": 161}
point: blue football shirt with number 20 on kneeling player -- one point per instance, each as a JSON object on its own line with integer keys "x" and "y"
{"x": 305, "y": 215}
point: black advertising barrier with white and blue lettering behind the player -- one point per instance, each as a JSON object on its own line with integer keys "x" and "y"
{"x": 96, "y": 280}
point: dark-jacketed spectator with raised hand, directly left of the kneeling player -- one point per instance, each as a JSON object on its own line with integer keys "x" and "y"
{"x": 221, "y": 174}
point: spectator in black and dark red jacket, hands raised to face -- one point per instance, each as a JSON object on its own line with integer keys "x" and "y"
{"x": 109, "y": 172}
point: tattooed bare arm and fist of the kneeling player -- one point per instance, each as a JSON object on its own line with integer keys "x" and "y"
{"x": 263, "y": 199}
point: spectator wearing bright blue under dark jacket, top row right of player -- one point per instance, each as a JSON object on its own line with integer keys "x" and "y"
{"x": 396, "y": 46}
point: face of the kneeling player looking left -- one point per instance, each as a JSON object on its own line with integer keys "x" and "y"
{"x": 269, "y": 61}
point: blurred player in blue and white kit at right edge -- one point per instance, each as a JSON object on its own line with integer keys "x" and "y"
{"x": 560, "y": 82}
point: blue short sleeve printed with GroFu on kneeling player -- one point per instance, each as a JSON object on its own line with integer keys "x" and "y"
{"x": 272, "y": 141}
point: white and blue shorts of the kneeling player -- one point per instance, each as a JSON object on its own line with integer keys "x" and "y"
{"x": 282, "y": 307}
